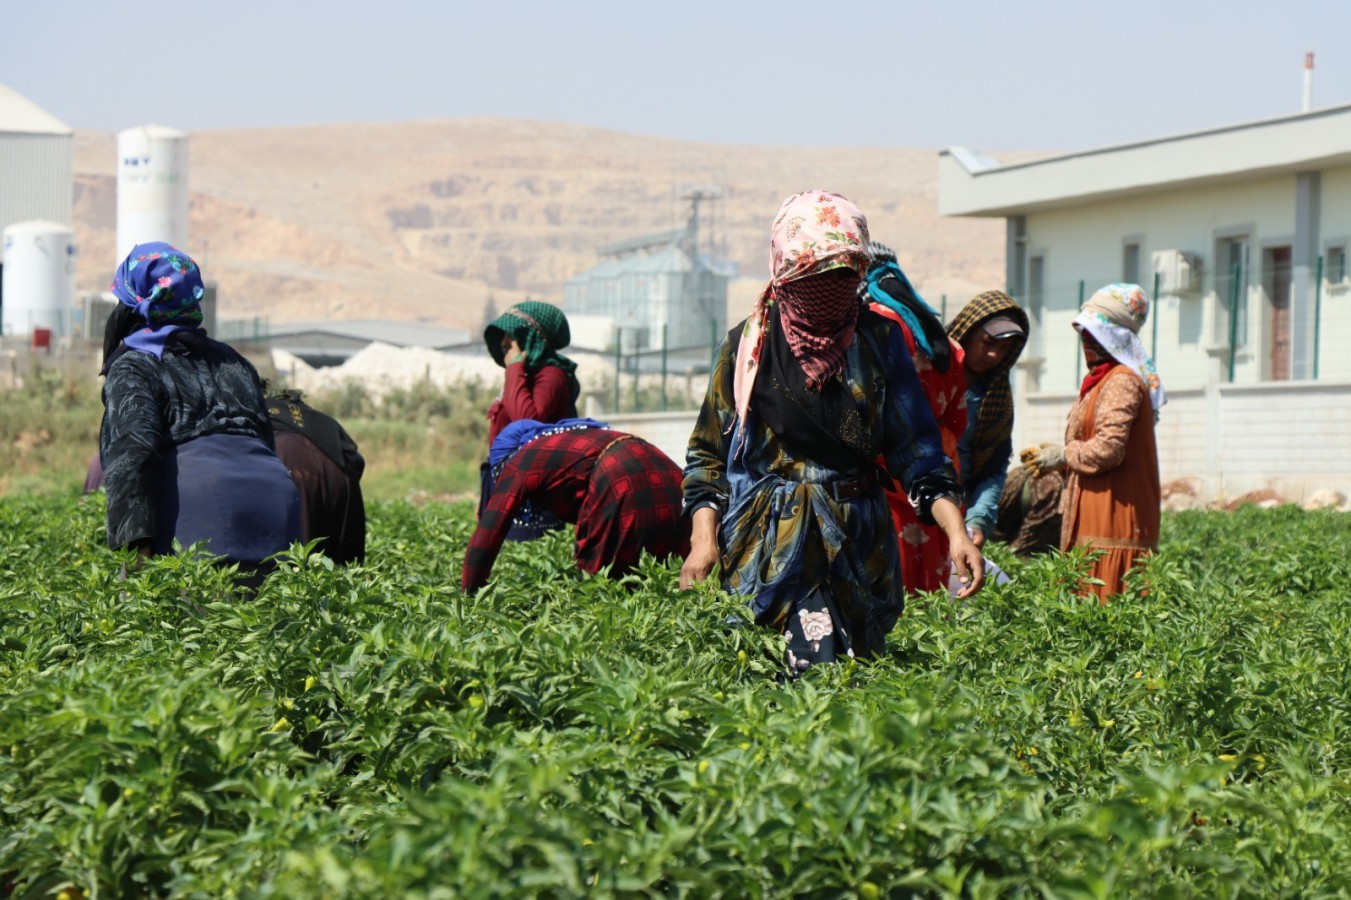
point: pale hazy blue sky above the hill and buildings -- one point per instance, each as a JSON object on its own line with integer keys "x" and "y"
{"x": 987, "y": 75}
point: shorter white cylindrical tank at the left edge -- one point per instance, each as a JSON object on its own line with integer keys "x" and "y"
{"x": 40, "y": 279}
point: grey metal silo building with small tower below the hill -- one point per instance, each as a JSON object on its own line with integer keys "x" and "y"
{"x": 656, "y": 291}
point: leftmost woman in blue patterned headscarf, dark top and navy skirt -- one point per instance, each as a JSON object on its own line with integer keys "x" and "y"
{"x": 186, "y": 443}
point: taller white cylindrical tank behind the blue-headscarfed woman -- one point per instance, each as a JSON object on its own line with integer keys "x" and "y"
{"x": 152, "y": 189}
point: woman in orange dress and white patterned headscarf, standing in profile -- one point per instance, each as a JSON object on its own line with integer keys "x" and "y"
{"x": 1113, "y": 489}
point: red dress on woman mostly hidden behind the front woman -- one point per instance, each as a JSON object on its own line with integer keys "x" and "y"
{"x": 925, "y": 555}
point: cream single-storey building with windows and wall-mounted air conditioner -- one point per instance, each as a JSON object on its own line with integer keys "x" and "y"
{"x": 1241, "y": 237}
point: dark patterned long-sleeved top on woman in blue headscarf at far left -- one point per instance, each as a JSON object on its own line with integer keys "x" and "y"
{"x": 201, "y": 387}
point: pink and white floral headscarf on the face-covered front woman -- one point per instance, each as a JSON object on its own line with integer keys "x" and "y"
{"x": 814, "y": 232}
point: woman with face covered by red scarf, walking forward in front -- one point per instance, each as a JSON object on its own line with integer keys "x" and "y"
{"x": 782, "y": 478}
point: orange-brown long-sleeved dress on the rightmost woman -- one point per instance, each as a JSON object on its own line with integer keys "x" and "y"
{"x": 1113, "y": 495}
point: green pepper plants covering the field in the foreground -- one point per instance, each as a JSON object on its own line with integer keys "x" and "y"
{"x": 376, "y": 733}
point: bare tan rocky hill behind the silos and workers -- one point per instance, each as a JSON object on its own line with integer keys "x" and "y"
{"x": 425, "y": 221}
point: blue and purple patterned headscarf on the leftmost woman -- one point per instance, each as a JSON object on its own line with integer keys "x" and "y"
{"x": 164, "y": 286}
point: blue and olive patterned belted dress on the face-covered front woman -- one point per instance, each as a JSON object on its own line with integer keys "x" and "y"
{"x": 823, "y": 571}
